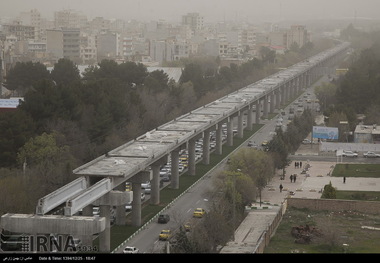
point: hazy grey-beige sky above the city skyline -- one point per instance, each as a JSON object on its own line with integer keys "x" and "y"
{"x": 213, "y": 10}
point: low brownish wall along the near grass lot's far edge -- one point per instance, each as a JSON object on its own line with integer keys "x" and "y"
{"x": 369, "y": 207}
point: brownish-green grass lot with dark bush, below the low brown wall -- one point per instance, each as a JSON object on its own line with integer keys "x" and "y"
{"x": 336, "y": 228}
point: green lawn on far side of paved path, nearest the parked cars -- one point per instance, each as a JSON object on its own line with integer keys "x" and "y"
{"x": 357, "y": 170}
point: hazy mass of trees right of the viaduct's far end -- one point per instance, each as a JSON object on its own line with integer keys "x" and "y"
{"x": 357, "y": 91}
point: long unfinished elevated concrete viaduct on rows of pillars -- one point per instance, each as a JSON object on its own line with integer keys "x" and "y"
{"x": 140, "y": 160}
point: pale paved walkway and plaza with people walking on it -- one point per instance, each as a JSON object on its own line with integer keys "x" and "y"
{"x": 307, "y": 185}
